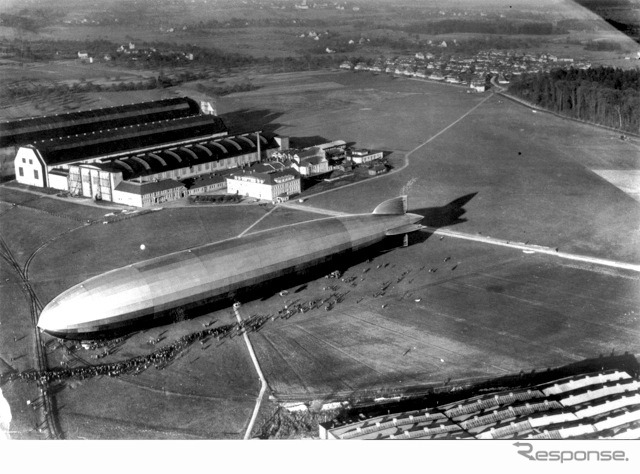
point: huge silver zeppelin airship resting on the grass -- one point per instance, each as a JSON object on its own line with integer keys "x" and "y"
{"x": 166, "y": 288}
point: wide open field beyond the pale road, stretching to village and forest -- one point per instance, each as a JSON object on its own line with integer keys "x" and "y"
{"x": 532, "y": 171}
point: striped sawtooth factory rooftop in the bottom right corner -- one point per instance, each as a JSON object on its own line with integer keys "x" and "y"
{"x": 531, "y": 412}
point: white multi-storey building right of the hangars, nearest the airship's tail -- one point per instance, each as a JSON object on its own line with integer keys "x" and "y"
{"x": 275, "y": 186}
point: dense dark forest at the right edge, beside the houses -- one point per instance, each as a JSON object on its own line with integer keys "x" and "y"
{"x": 603, "y": 95}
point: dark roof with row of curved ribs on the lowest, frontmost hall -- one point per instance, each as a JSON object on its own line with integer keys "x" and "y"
{"x": 169, "y": 159}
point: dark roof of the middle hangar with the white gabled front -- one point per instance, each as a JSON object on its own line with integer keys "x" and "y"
{"x": 123, "y": 139}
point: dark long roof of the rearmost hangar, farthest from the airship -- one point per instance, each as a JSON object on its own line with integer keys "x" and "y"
{"x": 30, "y": 130}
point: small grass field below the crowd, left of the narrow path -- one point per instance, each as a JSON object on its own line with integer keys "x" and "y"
{"x": 205, "y": 394}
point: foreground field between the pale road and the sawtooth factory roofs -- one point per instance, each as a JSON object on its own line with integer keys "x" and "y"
{"x": 497, "y": 313}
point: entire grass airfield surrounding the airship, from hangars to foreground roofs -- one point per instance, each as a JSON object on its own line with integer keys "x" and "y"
{"x": 486, "y": 311}
